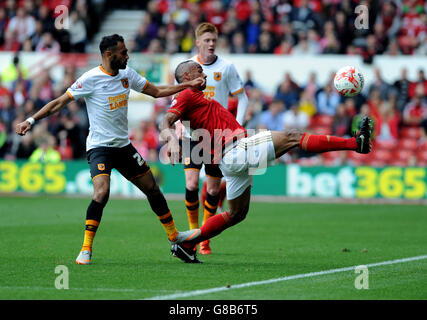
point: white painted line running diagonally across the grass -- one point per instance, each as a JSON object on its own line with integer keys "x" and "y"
{"x": 287, "y": 278}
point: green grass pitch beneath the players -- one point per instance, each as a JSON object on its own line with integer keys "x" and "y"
{"x": 132, "y": 256}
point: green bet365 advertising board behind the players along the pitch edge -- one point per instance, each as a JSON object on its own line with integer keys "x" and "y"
{"x": 362, "y": 182}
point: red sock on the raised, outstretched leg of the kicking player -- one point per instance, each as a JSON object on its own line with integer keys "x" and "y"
{"x": 323, "y": 143}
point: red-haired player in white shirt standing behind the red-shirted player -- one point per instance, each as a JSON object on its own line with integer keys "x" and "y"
{"x": 222, "y": 80}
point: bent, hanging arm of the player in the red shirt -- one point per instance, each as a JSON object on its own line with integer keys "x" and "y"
{"x": 167, "y": 133}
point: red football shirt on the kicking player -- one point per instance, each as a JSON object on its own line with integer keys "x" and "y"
{"x": 191, "y": 105}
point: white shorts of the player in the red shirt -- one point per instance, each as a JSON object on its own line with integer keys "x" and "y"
{"x": 249, "y": 156}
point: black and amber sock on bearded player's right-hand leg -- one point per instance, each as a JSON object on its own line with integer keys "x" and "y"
{"x": 160, "y": 207}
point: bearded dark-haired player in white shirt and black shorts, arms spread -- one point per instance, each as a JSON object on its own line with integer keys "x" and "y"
{"x": 106, "y": 91}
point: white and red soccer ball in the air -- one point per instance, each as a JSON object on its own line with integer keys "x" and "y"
{"x": 349, "y": 81}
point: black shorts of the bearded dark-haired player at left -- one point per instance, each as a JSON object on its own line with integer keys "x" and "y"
{"x": 125, "y": 160}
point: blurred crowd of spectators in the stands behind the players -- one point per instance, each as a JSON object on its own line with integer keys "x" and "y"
{"x": 399, "y": 109}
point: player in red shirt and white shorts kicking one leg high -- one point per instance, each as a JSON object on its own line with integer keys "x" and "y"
{"x": 235, "y": 152}
